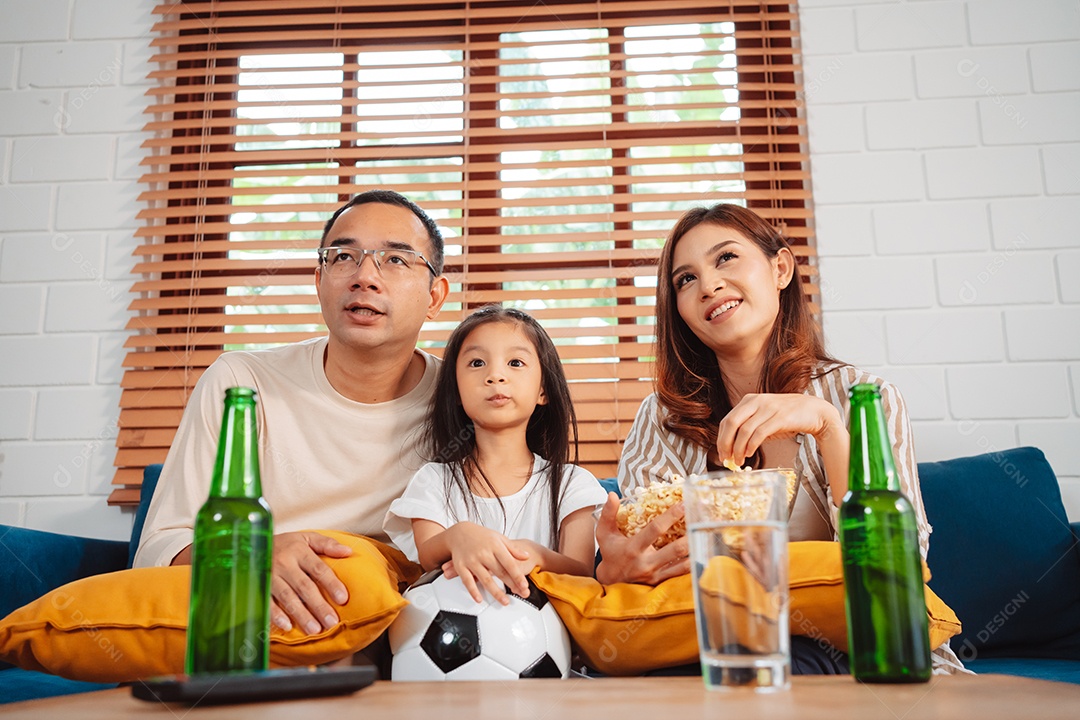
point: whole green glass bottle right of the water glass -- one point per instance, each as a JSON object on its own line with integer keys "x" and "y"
{"x": 880, "y": 542}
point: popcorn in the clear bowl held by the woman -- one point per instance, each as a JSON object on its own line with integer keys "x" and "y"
{"x": 645, "y": 504}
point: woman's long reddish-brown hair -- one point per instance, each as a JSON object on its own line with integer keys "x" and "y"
{"x": 690, "y": 385}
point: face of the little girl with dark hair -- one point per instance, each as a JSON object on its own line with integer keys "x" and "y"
{"x": 499, "y": 377}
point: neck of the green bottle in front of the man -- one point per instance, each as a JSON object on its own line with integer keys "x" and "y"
{"x": 237, "y": 469}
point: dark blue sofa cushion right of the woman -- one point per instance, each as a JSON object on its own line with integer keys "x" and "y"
{"x": 1004, "y": 556}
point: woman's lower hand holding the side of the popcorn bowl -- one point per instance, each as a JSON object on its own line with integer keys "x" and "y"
{"x": 636, "y": 560}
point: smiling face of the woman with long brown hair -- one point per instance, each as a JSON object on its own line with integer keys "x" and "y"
{"x": 727, "y": 290}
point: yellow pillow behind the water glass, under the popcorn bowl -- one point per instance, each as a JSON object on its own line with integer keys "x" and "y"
{"x": 628, "y": 629}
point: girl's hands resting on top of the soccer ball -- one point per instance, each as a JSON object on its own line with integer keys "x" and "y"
{"x": 480, "y": 556}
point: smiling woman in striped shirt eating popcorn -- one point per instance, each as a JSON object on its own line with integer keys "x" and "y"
{"x": 742, "y": 375}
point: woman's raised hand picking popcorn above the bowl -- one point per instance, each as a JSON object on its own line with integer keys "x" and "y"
{"x": 758, "y": 418}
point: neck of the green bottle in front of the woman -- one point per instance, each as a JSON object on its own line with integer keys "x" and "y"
{"x": 872, "y": 466}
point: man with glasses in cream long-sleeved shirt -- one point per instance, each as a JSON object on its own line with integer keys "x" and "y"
{"x": 339, "y": 417}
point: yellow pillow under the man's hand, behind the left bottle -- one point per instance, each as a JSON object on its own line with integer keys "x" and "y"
{"x": 132, "y": 624}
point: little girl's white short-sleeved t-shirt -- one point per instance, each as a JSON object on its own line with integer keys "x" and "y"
{"x": 528, "y": 512}
